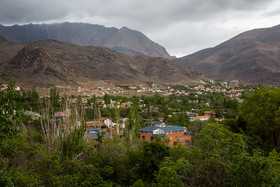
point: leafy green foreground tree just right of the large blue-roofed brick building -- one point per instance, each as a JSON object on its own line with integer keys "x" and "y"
{"x": 216, "y": 149}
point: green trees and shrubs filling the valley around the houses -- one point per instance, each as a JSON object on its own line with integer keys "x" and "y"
{"x": 242, "y": 150}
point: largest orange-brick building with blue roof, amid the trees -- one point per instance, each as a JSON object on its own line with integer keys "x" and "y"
{"x": 175, "y": 134}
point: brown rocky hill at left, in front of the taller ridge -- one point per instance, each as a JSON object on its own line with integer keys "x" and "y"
{"x": 49, "y": 63}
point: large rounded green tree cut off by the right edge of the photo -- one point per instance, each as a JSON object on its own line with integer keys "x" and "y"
{"x": 261, "y": 112}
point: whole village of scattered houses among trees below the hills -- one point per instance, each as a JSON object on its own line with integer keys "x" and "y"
{"x": 166, "y": 119}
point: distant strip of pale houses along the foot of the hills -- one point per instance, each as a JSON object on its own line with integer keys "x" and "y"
{"x": 233, "y": 89}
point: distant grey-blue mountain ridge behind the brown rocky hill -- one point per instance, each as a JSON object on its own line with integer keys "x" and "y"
{"x": 124, "y": 40}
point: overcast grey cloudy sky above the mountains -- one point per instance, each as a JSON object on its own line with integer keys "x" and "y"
{"x": 181, "y": 26}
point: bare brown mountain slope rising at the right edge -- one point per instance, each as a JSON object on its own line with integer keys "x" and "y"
{"x": 252, "y": 57}
